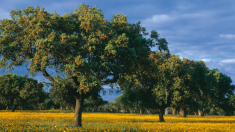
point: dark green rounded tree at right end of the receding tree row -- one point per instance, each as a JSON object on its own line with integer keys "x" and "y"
{"x": 213, "y": 90}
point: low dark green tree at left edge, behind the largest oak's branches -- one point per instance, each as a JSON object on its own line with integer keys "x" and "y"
{"x": 19, "y": 91}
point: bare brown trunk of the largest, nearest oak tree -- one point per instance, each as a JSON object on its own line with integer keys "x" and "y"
{"x": 78, "y": 111}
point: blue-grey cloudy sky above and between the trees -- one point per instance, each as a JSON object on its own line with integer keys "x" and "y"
{"x": 198, "y": 30}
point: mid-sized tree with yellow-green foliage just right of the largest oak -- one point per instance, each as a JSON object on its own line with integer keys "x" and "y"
{"x": 170, "y": 76}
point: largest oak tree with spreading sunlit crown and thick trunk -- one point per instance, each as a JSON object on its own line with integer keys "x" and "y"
{"x": 83, "y": 46}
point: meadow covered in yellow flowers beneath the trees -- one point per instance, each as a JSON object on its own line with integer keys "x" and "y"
{"x": 39, "y": 120}
